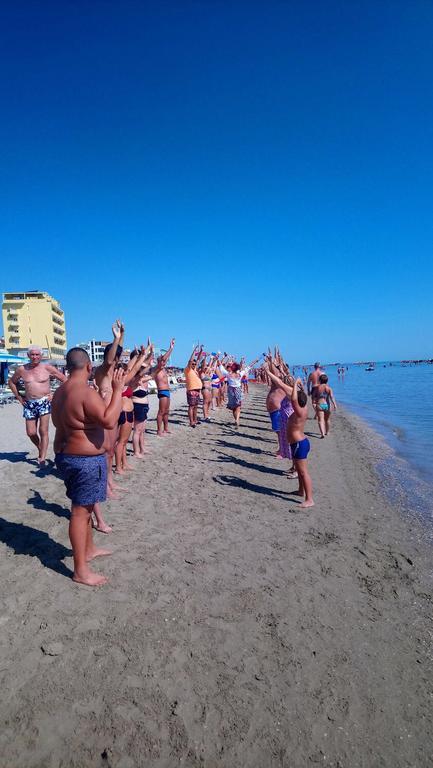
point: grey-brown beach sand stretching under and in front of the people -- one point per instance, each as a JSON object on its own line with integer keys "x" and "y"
{"x": 236, "y": 629}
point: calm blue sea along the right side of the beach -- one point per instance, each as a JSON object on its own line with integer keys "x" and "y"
{"x": 396, "y": 400}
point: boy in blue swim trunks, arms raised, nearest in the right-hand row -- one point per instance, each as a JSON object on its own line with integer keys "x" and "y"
{"x": 299, "y": 444}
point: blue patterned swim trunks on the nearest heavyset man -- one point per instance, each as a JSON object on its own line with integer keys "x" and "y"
{"x": 85, "y": 477}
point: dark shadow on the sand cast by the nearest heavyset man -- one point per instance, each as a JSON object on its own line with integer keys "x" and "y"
{"x": 29, "y": 541}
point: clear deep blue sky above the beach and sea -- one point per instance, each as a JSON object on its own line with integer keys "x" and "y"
{"x": 240, "y": 172}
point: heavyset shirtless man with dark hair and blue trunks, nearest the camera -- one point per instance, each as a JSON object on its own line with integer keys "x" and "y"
{"x": 80, "y": 416}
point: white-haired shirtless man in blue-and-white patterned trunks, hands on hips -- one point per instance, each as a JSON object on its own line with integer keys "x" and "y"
{"x": 37, "y": 401}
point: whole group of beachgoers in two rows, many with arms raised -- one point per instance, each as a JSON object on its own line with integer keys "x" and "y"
{"x": 95, "y": 411}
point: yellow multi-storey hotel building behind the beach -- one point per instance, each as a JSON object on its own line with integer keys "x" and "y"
{"x": 34, "y": 317}
